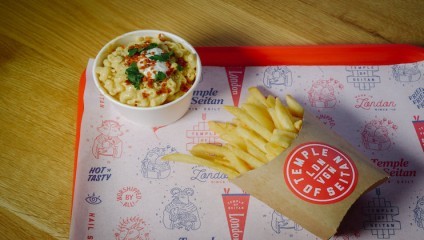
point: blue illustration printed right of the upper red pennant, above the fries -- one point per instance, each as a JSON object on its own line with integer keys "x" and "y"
{"x": 279, "y": 75}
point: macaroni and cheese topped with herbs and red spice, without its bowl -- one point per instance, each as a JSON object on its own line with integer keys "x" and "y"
{"x": 148, "y": 72}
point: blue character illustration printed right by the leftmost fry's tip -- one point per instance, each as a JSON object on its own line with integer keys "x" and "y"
{"x": 153, "y": 167}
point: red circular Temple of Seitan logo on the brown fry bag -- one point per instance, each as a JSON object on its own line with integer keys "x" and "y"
{"x": 319, "y": 173}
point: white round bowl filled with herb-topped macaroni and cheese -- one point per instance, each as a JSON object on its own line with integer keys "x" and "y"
{"x": 148, "y": 75}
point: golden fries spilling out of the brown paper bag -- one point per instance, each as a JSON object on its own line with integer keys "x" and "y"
{"x": 263, "y": 127}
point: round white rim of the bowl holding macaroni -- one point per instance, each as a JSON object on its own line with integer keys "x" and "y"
{"x": 153, "y": 33}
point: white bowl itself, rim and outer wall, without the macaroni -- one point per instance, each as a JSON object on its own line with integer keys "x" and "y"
{"x": 148, "y": 116}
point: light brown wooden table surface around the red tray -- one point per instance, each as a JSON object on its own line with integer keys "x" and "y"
{"x": 45, "y": 46}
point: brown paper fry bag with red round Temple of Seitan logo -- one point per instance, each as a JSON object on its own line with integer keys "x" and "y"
{"x": 315, "y": 181}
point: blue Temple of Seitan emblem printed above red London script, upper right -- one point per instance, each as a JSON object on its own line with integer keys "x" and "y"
{"x": 363, "y": 77}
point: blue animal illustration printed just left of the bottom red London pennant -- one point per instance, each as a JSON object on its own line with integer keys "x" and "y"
{"x": 181, "y": 212}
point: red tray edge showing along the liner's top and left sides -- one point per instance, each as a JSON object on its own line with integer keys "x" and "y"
{"x": 367, "y": 54}
